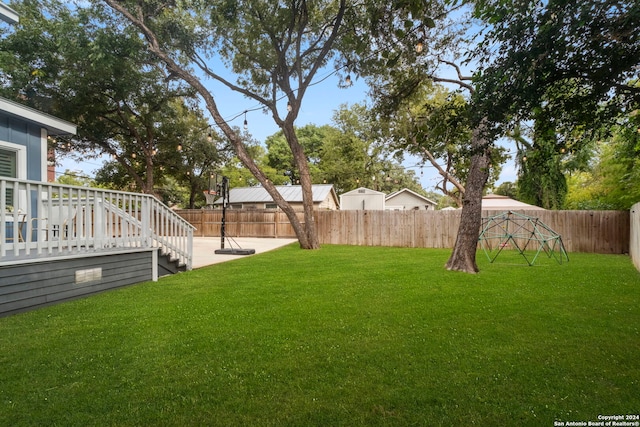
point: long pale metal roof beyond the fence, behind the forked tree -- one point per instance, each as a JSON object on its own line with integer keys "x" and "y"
{"x": 291, "y": 193}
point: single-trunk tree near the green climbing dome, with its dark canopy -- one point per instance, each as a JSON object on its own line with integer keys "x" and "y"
{"x": 565, "y": 63}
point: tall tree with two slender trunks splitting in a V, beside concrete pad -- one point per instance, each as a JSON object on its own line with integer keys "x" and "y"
{"x": 274, "y": 51}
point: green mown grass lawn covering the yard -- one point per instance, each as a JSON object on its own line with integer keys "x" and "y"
{"x": 342, "y": 336}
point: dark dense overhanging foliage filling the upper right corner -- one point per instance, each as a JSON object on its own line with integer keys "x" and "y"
{"x": 562, "y": 62}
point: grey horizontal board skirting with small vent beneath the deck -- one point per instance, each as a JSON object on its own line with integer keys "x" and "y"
{"x": 30, "y": 285}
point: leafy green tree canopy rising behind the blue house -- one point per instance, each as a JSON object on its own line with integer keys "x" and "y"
{"x": 83, "y": 65}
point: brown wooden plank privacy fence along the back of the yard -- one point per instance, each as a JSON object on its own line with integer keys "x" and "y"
{"x": 582, "y": 231}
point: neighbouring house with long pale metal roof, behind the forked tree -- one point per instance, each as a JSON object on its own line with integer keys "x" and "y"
{"x": 324, "y": 197}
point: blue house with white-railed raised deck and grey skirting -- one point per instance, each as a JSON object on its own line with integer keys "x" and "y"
{"x": 59, "y": 242}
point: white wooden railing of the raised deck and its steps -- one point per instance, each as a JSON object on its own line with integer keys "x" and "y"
{"x": 40, "y": 219}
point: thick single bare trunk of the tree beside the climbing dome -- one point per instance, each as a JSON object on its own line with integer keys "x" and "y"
{"x": 463, "y": 257}
